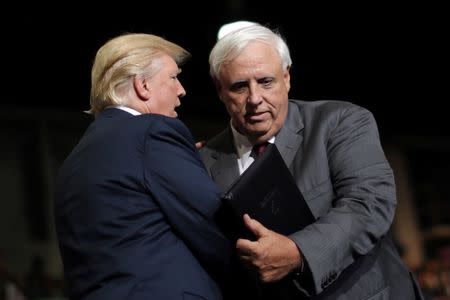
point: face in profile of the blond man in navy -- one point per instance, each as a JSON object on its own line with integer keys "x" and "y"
{"x": 166, "y": 89}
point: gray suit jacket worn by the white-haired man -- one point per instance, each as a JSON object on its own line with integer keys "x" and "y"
{"x": 334, "y": 153}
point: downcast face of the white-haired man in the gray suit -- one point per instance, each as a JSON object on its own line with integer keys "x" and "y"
{"x": 254, "y": 88}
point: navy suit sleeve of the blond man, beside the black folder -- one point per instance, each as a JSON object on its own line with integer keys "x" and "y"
{"x": 179, "y": 182}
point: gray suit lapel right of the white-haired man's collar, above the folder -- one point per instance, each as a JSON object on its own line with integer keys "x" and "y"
{"x": 290, "y": 137}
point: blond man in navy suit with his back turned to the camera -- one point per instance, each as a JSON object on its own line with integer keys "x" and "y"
{"x": 134, "y": 205}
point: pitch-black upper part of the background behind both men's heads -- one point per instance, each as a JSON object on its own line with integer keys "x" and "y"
{"x": 389, "y": 58}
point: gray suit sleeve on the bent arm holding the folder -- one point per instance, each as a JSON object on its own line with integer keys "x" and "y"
{"x": 364, "y": 204}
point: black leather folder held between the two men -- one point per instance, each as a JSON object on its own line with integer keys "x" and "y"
{"x": 268, "y": 193}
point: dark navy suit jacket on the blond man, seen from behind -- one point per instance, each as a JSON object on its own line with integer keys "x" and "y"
{"x": 133, "y": 211}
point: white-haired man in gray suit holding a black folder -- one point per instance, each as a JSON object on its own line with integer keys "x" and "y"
{"x": 333, "y": 150}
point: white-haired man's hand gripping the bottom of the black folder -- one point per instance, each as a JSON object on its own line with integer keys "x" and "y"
{"x": 272, "y": 255}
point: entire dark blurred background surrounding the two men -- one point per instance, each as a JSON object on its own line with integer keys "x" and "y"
{"x": 389, "y": 58}
